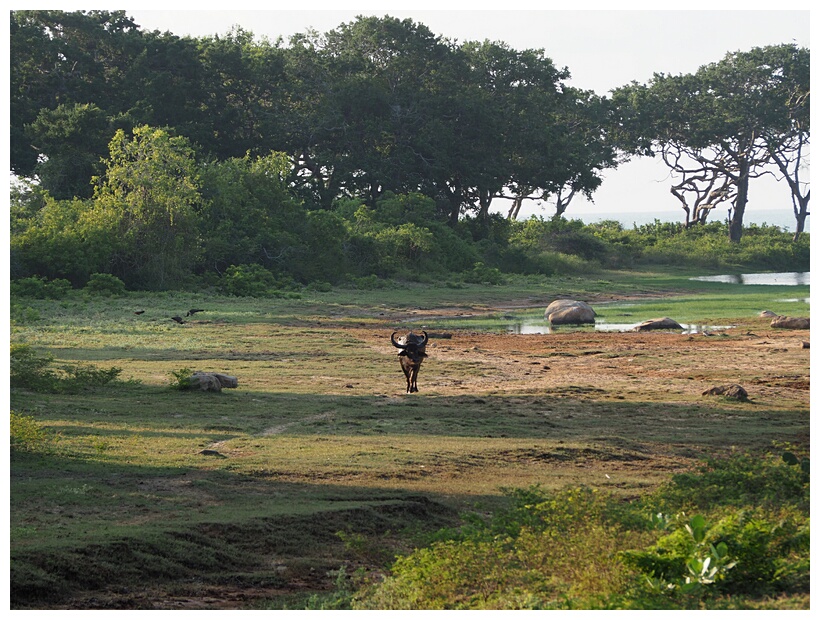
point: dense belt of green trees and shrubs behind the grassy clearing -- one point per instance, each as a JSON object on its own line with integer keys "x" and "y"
{"x": 371, "y": 152}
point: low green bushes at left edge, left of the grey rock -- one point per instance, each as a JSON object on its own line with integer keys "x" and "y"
{"x": 37, "y": 372}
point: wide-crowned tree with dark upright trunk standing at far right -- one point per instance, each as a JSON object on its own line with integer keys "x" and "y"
{"x": 725, "y": 118}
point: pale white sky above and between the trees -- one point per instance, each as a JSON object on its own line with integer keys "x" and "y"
{"x": 603, "y": 49}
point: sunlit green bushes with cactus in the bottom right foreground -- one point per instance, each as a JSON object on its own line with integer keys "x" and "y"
{"x": 582, "y": 549}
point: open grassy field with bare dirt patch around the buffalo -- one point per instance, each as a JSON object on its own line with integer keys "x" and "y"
{"x": 145, "y": 496}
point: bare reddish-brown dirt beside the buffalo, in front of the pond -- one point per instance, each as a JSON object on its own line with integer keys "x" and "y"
{"x": 772, "y": 366}
